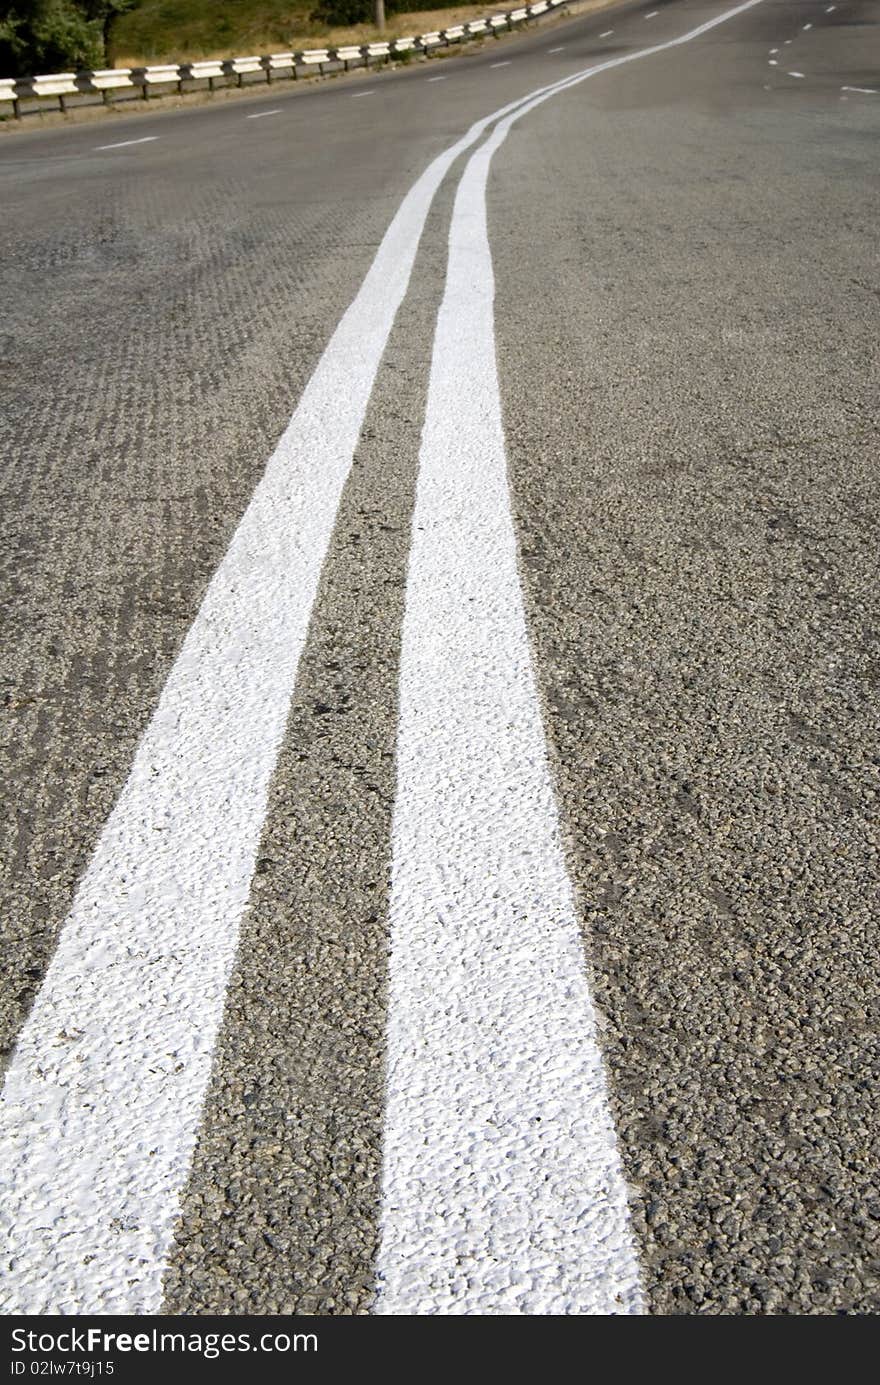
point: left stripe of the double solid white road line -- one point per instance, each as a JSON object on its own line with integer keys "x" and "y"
{"x": 105, "y": 1092}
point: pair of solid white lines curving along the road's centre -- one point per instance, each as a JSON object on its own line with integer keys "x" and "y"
{"x": 497, "y": 1103}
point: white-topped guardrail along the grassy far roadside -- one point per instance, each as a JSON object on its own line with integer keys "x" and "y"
{"x": 242, "y": 71}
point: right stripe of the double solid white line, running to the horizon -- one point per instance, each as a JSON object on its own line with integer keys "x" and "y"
{"x": 502, "y": 1189}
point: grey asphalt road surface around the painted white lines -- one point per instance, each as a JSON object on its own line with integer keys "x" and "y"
{"x": 687, "y": 282}
